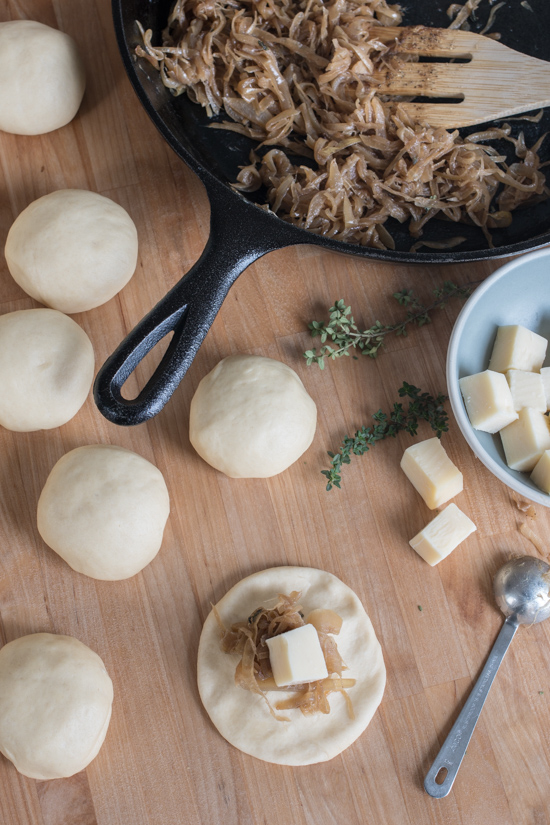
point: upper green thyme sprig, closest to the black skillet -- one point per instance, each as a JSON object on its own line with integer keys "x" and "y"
{"x": 344, "y": 333}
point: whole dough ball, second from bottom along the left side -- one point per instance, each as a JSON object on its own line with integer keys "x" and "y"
{"x": 103, "y": 509}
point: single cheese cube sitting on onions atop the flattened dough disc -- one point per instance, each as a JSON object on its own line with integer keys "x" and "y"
{"x": 296, "y": 656}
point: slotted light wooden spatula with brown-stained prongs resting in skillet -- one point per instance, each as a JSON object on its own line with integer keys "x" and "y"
{"x": 496, "y": 82}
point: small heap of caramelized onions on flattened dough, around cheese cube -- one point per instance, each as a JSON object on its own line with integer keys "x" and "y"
{"x": 253, "y": 672}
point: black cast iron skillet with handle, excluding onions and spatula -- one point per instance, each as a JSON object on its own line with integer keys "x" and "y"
{"x": 240, "y": 232}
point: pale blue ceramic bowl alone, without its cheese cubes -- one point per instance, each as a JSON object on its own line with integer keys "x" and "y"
{"x": 517, "y": 293}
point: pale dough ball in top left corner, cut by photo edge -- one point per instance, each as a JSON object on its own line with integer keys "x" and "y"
{"x": 42, "y": 78}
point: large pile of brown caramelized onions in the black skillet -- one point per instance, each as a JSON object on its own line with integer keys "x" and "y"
{"x": 299, "y": 75}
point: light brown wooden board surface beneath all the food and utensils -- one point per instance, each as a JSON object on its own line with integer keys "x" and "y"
{"x": 163, "y": 763}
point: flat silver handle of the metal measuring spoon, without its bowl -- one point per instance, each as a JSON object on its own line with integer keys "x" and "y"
{"x": 449, "y": 758}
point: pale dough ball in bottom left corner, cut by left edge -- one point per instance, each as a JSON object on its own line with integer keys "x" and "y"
{"x": 55, "y": 705}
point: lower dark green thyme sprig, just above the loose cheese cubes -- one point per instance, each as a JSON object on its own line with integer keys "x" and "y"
{"x": 422, "y": 407}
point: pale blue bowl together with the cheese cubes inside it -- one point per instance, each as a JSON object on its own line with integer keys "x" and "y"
{"x": 498, "y": 374}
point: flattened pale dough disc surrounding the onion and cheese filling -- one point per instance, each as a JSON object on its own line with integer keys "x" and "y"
{"x": 243, "y": 718}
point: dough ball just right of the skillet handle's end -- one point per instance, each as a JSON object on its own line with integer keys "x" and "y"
{"x": 251, "y": 417}
